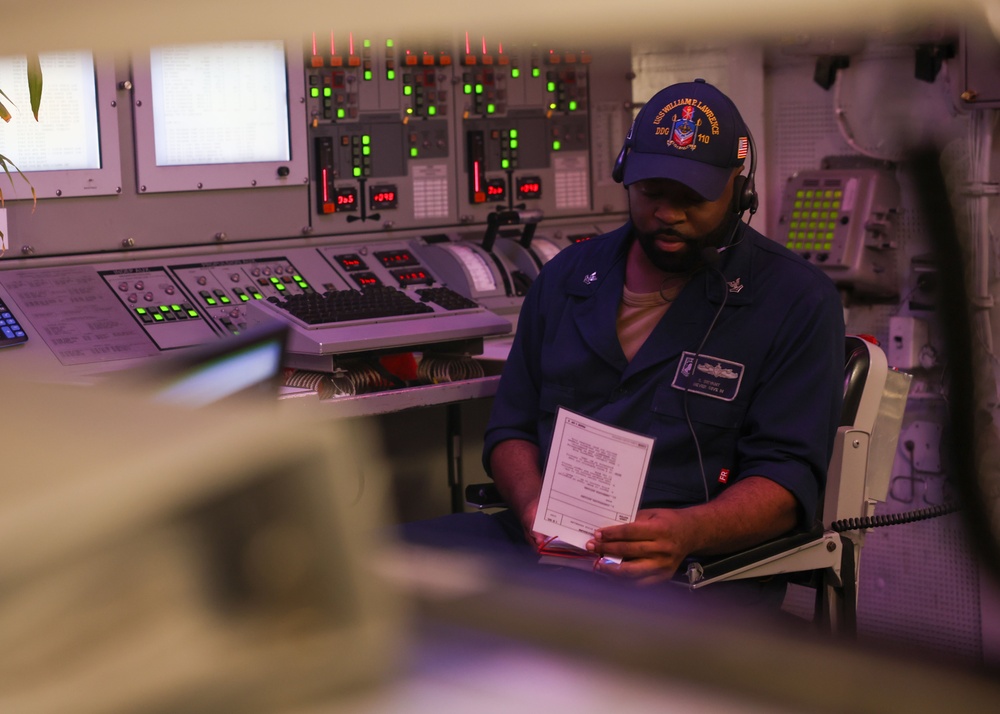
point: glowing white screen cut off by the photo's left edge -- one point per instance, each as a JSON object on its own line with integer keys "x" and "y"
{"x": 61, "y": 154}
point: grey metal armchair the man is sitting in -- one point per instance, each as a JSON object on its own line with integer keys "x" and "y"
{"x": 825, "y": 558}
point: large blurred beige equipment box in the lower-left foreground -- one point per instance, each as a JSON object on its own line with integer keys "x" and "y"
{"x": 157, "y": 558}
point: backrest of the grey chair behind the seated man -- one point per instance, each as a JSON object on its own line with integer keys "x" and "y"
{"x": 865, "y": 446}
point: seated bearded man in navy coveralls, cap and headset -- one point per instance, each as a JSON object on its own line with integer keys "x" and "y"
{"x": 689, "y": 326}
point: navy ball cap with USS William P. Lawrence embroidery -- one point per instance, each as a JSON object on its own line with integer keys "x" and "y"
{"x": 691, "y": 133}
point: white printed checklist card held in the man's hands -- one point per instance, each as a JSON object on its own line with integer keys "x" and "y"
{"x": 594, "y": 476}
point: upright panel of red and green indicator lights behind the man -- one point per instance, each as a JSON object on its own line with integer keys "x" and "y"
{"x": 409, "y": 134}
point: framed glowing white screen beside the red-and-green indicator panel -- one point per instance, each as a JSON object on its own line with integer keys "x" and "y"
{"x": 219, "y": 115}
